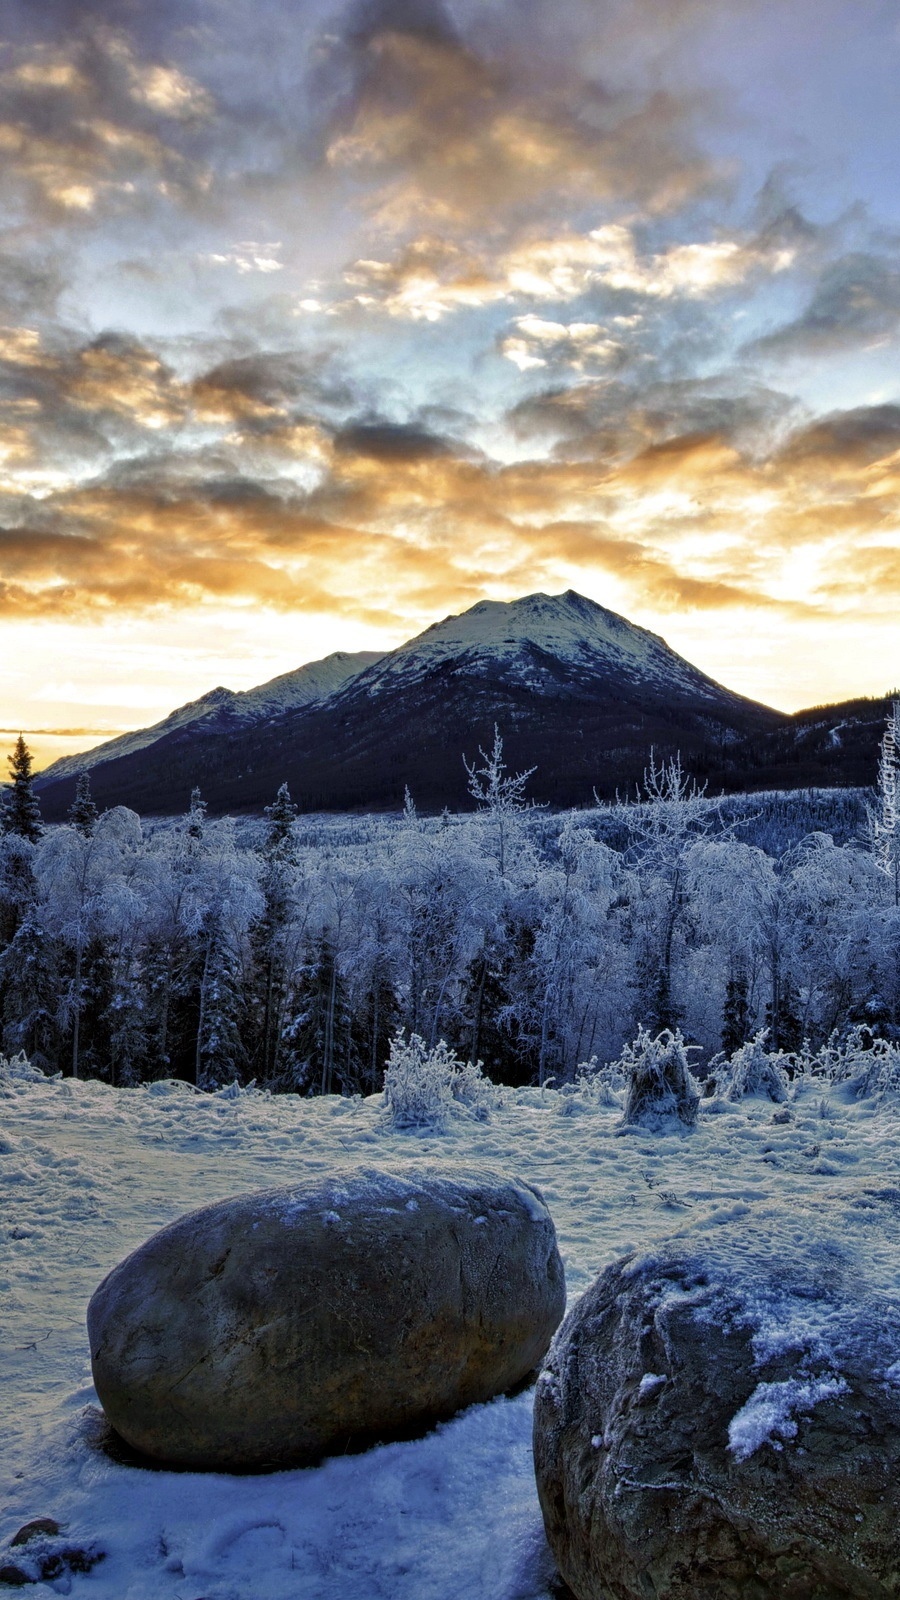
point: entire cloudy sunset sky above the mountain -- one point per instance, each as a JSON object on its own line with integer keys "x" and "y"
{"x": 324, "y": 321}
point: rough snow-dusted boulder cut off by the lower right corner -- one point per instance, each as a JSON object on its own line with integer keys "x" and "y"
{"x": 720, "y": 1420}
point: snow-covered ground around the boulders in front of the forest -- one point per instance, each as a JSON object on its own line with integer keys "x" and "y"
{"x": 87, "y": 1174}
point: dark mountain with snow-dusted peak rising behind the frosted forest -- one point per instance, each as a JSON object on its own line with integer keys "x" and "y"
{"x": 576, "y": 692}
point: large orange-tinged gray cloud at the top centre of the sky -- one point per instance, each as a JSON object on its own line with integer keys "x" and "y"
{"x": 448, "y": 134}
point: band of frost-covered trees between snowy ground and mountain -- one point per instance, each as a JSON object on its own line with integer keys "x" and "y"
{"x": 291, "y": 951}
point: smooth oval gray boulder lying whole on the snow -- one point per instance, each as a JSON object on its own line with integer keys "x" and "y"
{"x": 281, "y": 1326}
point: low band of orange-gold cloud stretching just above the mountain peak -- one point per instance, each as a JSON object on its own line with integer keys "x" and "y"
{"x": 677, "y": 524}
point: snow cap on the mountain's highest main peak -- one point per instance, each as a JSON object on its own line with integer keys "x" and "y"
{"x": 574, "y": 631}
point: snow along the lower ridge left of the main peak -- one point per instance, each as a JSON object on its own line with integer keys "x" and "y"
{"x": 307, "y": 686}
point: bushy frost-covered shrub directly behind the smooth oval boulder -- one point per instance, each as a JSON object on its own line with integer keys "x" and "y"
{"x": 422, "y": 1086}
